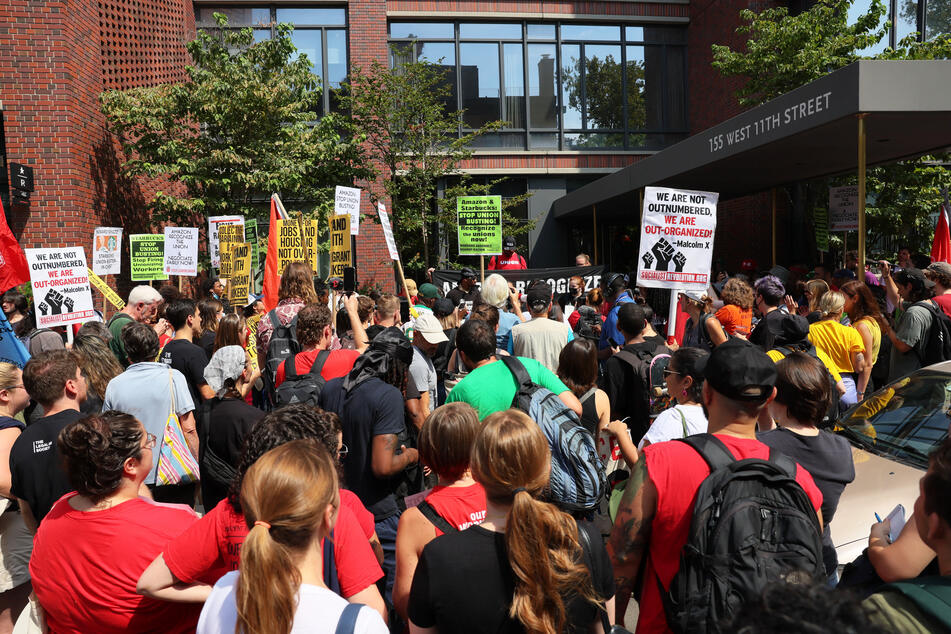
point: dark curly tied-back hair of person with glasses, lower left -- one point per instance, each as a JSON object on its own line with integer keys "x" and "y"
{"x": 95, "y": 449}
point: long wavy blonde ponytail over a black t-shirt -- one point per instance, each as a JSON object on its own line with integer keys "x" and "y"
{"x": 511, "y": 460}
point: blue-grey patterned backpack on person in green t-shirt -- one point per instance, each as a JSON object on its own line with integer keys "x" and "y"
{"x": 577, "y": 481}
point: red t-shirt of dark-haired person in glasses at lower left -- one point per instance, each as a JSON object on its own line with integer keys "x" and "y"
{"x": 85, "y": 566}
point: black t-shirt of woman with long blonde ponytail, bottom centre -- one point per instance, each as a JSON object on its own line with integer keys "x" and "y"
{"x": 464, "y": 584}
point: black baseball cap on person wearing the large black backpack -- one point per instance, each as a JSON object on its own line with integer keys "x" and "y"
{"x": 739, "y": 370}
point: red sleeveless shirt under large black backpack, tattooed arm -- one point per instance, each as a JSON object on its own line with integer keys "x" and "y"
{"x": 677, "y": 470}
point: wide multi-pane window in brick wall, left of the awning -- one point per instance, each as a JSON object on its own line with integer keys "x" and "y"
{"x": 571, "y": 86}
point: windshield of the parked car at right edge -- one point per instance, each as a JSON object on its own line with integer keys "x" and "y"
{"x": 905, "y": 420}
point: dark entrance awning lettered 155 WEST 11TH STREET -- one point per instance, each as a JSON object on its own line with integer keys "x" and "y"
{"x": 807, "y": 133}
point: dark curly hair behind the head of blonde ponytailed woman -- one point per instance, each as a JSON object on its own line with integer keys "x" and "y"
{"x": 291, "y": 422}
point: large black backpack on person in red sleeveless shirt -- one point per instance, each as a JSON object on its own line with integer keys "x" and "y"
{"x": 753, "y": 524}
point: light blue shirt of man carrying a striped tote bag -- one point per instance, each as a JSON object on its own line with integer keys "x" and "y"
{"x": 143, "y": 391}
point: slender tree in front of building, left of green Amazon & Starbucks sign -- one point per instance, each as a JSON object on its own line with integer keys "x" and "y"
{"x": 412, "y": 135}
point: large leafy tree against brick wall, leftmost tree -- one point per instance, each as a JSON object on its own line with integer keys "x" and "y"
{"x": 243, "y": 125}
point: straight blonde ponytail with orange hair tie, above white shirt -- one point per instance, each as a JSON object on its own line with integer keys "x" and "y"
{"x": 284, "y": 496}
